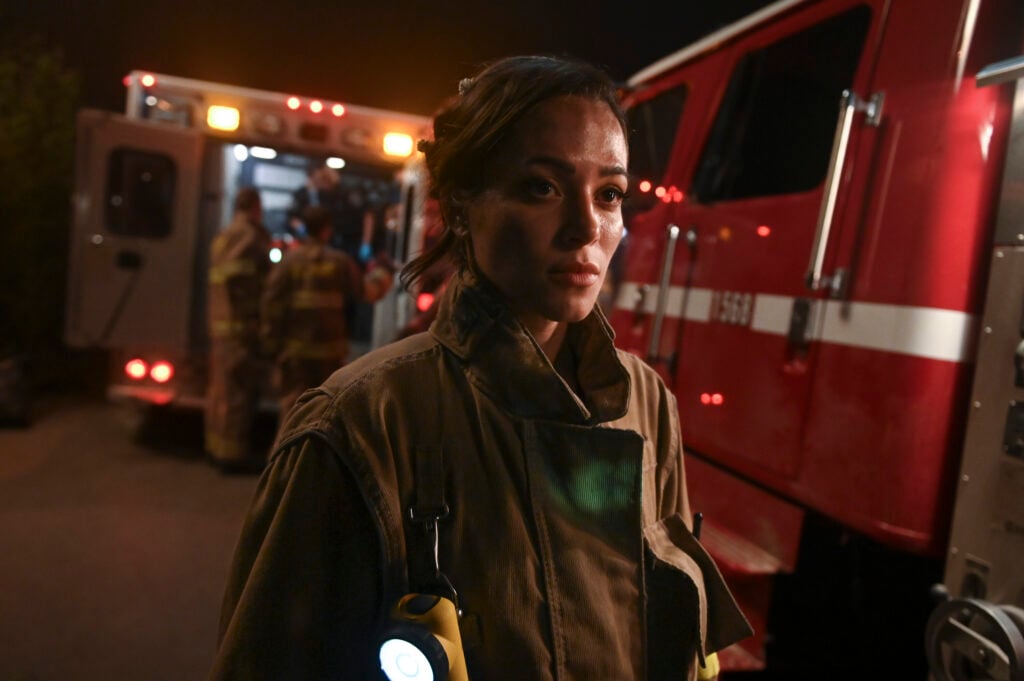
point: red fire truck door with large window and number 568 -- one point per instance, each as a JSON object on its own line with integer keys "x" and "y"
{"x": 739, "y": 314}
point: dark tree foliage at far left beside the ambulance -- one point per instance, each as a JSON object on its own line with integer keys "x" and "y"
{"x": 38, "y": 100}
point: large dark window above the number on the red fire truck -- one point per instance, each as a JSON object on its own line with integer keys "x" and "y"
{"x": 775, "y": 131}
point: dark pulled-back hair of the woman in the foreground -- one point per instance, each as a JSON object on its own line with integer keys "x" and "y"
{"x": 472, "y": 126}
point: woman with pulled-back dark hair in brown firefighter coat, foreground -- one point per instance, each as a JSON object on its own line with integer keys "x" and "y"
{"x": 548, "y": 462}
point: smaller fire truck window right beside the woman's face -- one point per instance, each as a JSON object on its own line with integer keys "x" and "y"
{"x": 653, "y": 127}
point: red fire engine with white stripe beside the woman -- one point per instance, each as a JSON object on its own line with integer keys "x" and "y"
{"x": 825, "y": 261}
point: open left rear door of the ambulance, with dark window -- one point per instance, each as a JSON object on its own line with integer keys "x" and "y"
{"x": 134, "y": 233}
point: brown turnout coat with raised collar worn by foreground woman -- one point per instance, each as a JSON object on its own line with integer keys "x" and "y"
{"x": 569, "y": 529}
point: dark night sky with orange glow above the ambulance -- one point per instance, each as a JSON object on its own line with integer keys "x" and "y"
{"x": 404, "y": 56}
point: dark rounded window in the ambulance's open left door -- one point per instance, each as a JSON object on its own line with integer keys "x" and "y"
{"x": 140, "y": 193}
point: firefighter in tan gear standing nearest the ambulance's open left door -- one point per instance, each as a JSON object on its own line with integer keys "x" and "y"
{"x": 239, "y": 265}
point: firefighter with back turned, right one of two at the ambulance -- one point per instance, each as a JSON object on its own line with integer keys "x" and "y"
{"x": 308, "y": 305}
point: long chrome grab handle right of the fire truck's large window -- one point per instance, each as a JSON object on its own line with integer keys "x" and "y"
{"x": 849, "y": 104}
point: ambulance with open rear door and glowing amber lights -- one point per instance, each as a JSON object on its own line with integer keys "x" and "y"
{"x": 154, "y": 185}
